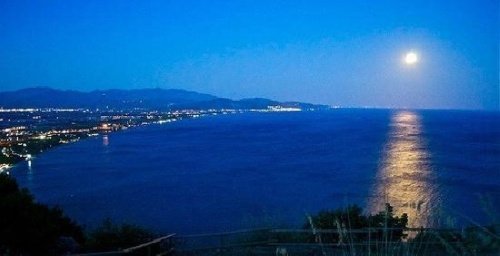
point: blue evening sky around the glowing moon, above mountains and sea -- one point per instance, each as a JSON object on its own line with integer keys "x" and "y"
{"x": 345, "y": 53}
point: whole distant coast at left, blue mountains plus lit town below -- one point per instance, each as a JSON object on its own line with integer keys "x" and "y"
{"x": 33, "y": 120}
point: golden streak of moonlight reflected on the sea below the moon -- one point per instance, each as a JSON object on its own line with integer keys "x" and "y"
{"x": 404, "y": 176}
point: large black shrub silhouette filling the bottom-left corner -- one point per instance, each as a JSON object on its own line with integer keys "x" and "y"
{"x": 30, "y": 228}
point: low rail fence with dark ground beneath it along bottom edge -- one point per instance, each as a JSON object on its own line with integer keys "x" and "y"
{"x": 287, "y": 242}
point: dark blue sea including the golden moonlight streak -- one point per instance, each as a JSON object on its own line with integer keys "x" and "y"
{"x": 270, "y": 169}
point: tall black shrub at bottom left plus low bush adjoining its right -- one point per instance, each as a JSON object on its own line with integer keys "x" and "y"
{"x": 30, "y": 228}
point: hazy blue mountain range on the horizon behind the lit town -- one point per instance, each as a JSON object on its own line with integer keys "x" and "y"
{"x": 161, "y": 99}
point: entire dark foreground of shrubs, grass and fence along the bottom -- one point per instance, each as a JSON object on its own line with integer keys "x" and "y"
{"x": 30, "y": 228}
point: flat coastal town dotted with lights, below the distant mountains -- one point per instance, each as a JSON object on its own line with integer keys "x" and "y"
{"x": 26, "y": 132}
